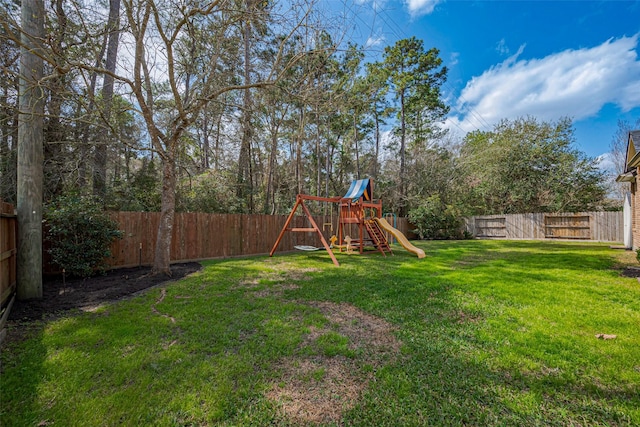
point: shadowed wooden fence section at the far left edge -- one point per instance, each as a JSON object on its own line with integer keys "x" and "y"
{"x": 8, "y": 259}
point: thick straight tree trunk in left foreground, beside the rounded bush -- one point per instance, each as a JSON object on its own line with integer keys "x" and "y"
{"x": 30, "y": 152}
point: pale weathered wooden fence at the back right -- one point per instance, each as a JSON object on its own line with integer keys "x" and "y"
{"x": 598, "y": 226}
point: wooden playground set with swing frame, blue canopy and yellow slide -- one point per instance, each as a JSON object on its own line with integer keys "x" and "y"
{"x": 356, "y": 208}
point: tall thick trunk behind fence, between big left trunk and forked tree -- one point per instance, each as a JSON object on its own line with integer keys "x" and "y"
{"x": 100, "y": 159}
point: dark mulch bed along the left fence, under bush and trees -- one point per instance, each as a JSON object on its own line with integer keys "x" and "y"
{"x": 60, "y": 296}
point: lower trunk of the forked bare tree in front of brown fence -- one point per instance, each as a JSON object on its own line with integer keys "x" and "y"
{"x": 162, "y": 259}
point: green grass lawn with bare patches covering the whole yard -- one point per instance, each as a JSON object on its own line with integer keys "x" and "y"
{"x": 478, "y": 333}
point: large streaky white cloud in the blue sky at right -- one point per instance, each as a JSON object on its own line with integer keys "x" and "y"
{"x": 574, "y": 83}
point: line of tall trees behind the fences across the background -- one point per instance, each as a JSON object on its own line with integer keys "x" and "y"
{"x": 236, "y": 106}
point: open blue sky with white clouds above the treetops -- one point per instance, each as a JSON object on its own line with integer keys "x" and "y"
{"x": 509, "y": 59}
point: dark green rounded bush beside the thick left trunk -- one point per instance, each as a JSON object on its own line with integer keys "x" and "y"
{"x": 80, "y": 233}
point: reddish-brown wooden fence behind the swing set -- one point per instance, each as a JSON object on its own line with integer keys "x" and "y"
{"x": 198, "y": 236}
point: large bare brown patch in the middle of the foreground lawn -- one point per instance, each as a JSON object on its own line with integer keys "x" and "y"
{"x": 319, "y": 389}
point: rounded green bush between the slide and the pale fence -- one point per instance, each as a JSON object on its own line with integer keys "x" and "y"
{"x": 435, "y": 220}
